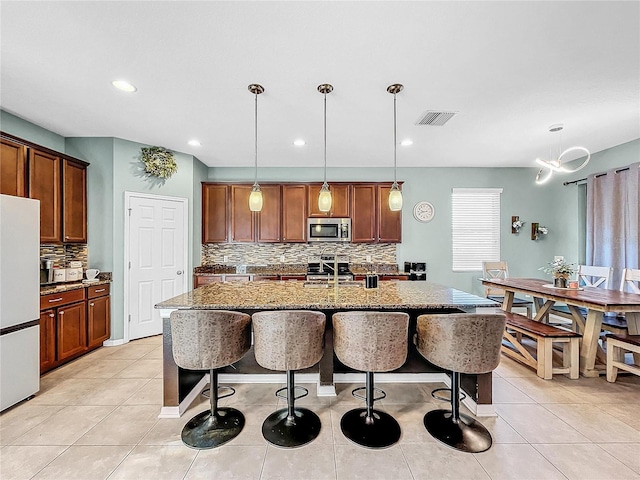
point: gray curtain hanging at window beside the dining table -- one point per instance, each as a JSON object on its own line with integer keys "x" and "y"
{"x": 613, "y": 220}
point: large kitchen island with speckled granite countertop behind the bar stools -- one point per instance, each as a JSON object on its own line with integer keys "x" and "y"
{"x": 180, "y": 387}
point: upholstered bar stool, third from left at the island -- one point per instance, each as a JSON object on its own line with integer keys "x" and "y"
{"x": 370, "y": 342}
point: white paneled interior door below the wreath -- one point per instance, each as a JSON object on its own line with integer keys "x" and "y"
{"x": 157, "y": 258}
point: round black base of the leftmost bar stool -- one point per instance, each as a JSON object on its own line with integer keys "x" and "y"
{"x": 205, "y": 431}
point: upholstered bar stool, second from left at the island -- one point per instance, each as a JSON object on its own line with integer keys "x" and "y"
{"x": 289, "y": 340}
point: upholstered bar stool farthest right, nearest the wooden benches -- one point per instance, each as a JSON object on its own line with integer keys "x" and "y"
{"x": 462, "y": 343}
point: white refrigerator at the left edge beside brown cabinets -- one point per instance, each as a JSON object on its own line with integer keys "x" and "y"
{"x": 19, "y": 299}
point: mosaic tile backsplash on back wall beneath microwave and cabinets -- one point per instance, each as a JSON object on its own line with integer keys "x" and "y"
{"x": 293, "y": 253}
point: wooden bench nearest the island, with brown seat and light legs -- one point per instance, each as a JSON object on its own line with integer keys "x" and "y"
{"x": 545, "y": 336}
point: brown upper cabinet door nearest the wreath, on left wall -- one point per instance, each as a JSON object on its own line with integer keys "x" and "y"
{"x": 74, "y": 194}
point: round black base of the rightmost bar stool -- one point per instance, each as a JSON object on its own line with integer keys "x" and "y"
{"x": 466, "y": 435}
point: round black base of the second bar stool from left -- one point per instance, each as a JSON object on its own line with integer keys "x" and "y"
{"x": 282, "y": 431}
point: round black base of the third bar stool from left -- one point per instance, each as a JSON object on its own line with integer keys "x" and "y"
{"x": 380, "y": 431}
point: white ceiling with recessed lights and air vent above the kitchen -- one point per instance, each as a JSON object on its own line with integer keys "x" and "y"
{"x": 510, "y": 70}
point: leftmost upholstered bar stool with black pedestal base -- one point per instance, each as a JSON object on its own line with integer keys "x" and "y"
{"x": 209, "y": 340}
